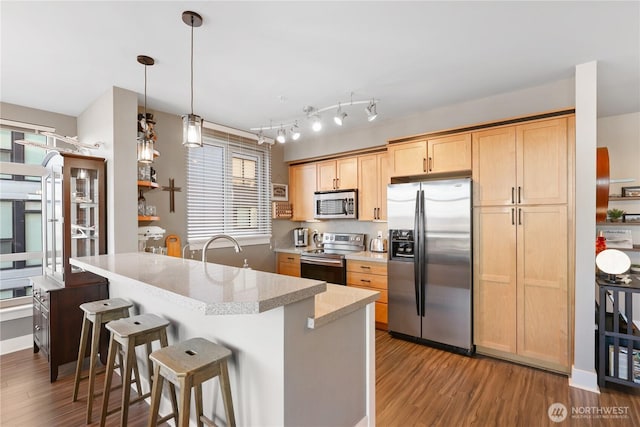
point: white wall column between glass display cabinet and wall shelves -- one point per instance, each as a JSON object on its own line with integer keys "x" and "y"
{"x": 112, "y": 120}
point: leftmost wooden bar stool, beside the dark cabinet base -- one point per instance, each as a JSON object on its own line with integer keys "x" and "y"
{"x": 96, "y": 313}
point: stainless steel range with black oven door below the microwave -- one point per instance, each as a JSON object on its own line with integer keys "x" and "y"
{"x": 328, "y": 263}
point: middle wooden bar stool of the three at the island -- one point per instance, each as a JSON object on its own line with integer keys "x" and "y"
{"x": 126, "y": 335}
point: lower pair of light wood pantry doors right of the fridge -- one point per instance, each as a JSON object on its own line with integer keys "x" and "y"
{"x": 521, "y": 283}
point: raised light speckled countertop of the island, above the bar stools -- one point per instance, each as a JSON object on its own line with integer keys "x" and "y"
{"x": 208, "y": 288}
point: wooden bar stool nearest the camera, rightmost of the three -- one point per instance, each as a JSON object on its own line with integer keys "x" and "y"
{"x": 188, "y": 364}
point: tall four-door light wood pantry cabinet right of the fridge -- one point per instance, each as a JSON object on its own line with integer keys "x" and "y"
{"x": 523, "y": 210}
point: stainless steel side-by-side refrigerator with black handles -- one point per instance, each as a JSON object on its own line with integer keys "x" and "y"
{"x": 429, "y": 268}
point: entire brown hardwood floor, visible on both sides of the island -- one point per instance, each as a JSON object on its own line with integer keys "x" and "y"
{"x": 415, "y": 386}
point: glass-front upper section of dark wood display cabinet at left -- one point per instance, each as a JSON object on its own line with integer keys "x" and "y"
{"x": 74, "y": 215}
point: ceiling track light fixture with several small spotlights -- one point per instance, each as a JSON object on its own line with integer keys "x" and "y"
{"x": 313, "y": 115}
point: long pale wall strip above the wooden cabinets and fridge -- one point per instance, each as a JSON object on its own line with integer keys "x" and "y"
{"x": 551, "y": 96}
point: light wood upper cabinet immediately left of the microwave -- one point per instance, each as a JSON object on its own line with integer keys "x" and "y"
{"x": 302, "y": 184}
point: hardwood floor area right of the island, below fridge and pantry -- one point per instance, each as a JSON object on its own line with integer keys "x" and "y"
{"x": 422, "y": 386}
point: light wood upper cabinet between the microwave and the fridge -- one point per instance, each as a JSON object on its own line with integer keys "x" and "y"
{"x": 373, "y": 178}
